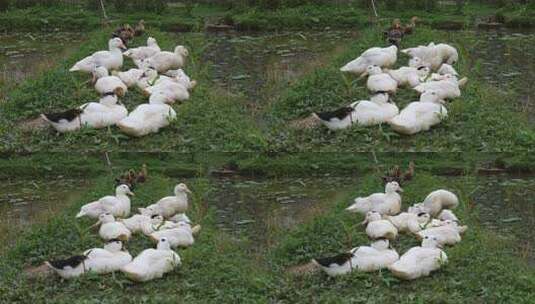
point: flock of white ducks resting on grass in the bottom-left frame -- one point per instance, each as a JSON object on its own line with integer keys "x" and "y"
{"x": 164, "y": 222}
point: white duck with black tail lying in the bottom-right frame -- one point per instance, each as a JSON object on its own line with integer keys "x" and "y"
{"x": 363, "y": 258}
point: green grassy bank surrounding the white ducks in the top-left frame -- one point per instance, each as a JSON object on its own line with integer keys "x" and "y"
{"x": 211, "y": 120}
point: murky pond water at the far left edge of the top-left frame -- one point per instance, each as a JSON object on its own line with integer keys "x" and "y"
{"x": 26, "y": 54}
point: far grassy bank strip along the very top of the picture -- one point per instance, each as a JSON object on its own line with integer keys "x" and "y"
{"x": 195, "y": 17}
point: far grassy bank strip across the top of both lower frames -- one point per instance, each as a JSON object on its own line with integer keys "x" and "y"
{"x": 189, "y": 165}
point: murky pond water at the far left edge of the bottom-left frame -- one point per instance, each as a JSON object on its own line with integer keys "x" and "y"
{"x": 28, "y": 201}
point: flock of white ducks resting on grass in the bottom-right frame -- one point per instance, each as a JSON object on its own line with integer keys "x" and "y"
{"x": 431, "y": 221}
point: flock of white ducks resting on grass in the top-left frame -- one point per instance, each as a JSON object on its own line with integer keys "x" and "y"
{"x": 158, "y": 75}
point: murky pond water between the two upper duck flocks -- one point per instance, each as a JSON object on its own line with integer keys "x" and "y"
{"x": 253, "y": 63}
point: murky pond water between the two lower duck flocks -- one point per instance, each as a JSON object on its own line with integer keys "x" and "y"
{"x": 254, "y": 207}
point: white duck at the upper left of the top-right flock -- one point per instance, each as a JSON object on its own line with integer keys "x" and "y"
{"x": 382, "y": 57}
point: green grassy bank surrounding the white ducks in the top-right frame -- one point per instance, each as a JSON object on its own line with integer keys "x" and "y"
{"x": 483, "y": 119}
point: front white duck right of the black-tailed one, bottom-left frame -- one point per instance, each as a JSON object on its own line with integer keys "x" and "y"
{"x": 152, "y": 263}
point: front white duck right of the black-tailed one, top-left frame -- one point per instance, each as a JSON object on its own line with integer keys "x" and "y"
{"x": 148, "y": 118}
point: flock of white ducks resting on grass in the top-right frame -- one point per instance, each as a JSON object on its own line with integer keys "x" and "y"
{"x": 429, "y": 72}
